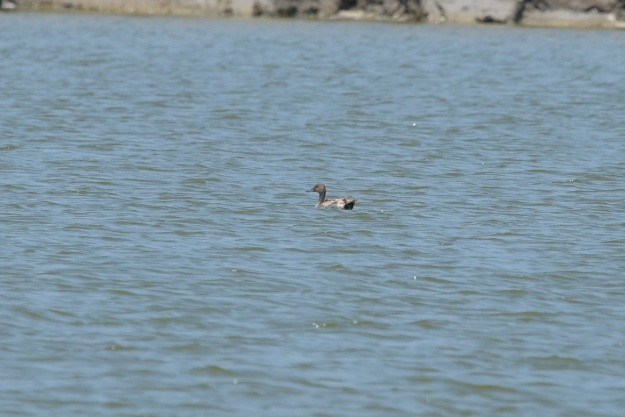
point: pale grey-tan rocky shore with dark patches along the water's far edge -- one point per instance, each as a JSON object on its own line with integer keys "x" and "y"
{"x": 546, "y": 13}
